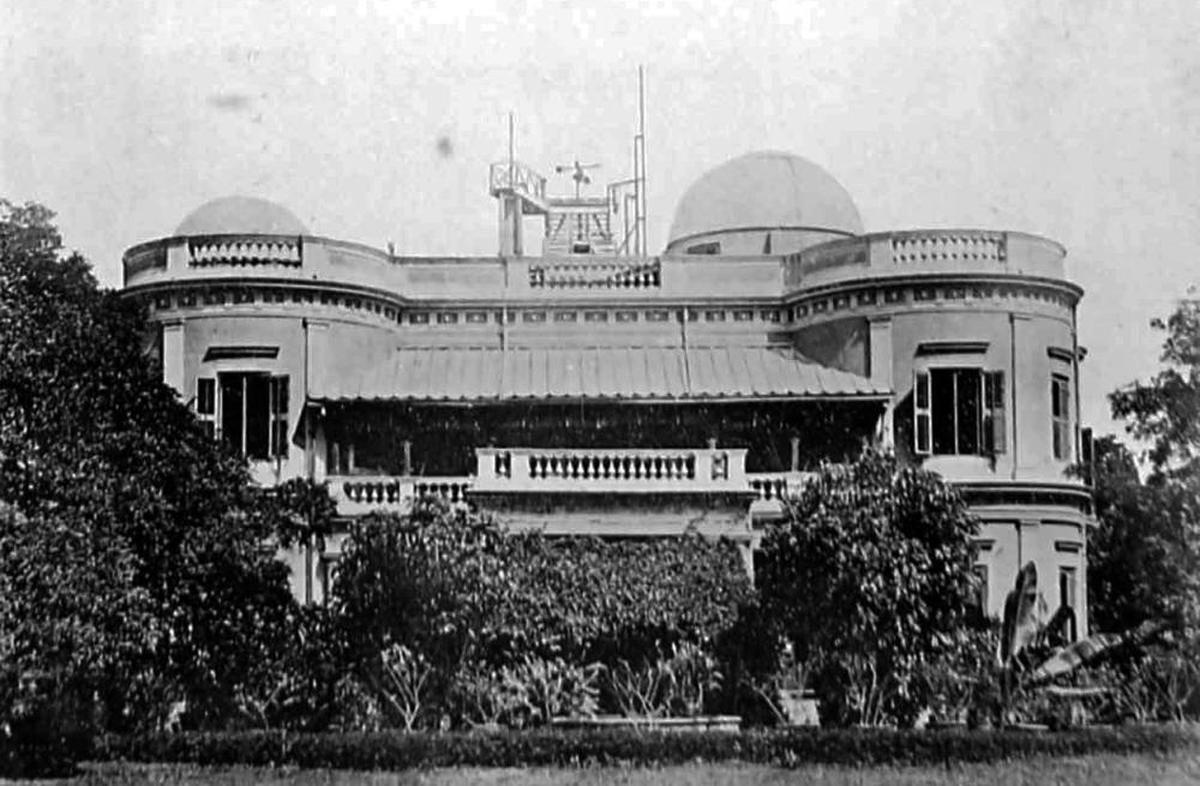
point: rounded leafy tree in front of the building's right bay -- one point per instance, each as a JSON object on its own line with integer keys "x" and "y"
{"x": 868, "y": 579}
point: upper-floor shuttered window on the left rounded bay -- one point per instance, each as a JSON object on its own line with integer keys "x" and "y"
{"x": 254, "y": 413}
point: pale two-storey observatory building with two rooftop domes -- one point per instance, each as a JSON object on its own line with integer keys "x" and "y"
{"x": 599, "y": 389}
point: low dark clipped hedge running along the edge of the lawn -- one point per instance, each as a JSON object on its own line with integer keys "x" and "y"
{"x": 608, "y": 747}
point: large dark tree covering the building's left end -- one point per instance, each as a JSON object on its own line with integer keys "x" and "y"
{"x": 135, "y": 556}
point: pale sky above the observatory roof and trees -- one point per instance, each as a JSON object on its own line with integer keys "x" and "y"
{"x": 376, "y": 122}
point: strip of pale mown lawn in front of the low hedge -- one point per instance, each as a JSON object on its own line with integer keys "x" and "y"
{"x": 1094, "y": 771}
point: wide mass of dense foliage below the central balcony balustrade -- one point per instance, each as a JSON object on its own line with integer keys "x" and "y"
{"x": 457, "y": 587}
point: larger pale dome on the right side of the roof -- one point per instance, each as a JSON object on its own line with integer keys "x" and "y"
{"x": 765, "y": 190}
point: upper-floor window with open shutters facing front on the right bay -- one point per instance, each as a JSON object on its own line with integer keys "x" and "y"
{"x": 959, "y": 412}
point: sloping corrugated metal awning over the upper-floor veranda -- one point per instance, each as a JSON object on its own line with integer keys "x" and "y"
{"x": 604, "y": 374}
